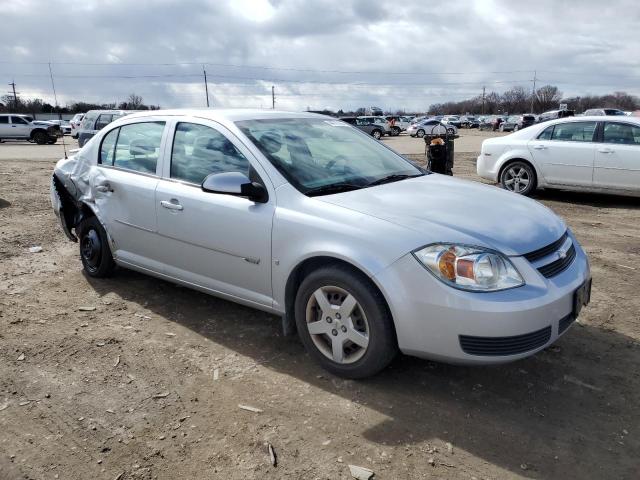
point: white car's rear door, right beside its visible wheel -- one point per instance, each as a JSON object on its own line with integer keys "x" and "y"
{"x": 565, "y": 153}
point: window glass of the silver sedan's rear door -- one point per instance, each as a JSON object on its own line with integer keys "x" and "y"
{"x": 137, "y": 146}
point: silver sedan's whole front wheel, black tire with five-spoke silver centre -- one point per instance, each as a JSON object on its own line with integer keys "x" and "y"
{"x": 369, "y": 322}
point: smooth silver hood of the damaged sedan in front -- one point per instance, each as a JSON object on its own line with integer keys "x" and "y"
{"x": 445, "y": 209}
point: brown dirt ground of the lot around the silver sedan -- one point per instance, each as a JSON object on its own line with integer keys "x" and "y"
{"x": 136, "y": 378}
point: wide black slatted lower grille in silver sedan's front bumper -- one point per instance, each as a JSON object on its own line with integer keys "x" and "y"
{"x": 501, "y": 346}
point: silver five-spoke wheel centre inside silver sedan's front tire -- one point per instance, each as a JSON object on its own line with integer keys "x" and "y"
{"x": 337, "y": 324}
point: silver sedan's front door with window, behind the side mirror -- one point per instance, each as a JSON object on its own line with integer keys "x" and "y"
{"x": 220, "y": 242}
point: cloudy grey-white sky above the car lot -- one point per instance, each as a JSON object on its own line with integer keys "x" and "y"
{"x": 317, "y": 53}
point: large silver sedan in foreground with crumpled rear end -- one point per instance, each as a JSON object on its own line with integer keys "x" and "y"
{"x": 297, "y": 215}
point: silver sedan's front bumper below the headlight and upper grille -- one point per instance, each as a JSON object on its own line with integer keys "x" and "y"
{"x": 432, "y": 320}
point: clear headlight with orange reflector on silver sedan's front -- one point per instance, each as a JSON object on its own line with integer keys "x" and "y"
{"x": 469, "y": 268}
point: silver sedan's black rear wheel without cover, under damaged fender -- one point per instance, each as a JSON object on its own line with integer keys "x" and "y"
{"x": 94, "y": 249}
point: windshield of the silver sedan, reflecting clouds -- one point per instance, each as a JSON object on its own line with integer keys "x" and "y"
{"x": 315, "y": 153}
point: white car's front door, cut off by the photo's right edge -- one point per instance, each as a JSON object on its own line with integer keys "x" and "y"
{"x": 617, "y": 157}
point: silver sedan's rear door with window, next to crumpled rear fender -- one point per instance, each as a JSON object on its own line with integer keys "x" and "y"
{"x": 124, "y": 190}
